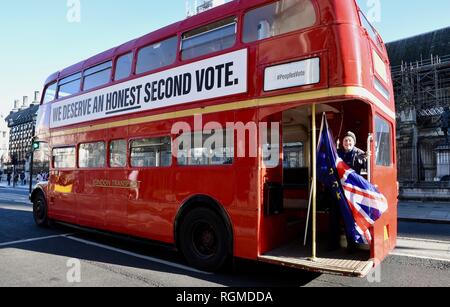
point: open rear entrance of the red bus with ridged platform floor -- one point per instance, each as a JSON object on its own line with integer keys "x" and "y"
{"x": 287, "y": 195}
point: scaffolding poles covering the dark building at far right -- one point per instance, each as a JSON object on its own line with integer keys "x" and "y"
{"x": 422, "y": 91}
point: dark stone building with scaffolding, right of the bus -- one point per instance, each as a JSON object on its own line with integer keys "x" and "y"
{"x": 421, "y": 75}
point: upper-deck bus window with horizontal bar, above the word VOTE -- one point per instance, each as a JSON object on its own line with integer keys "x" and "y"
{"x": 209, "y": 39}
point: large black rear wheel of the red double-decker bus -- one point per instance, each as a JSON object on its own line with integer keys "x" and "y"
{"x": 204, "y": 240}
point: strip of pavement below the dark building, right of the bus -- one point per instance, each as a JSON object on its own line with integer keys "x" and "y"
{"x": 424, "y": 212}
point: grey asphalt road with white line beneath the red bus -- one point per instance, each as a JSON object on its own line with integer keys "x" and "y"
{"x": 30, "y": 256}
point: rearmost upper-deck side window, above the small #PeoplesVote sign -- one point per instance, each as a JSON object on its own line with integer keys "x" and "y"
{"x": 278, "y": 18}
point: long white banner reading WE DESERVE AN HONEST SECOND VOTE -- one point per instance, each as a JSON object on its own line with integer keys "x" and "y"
{"x": 211, "y": 78}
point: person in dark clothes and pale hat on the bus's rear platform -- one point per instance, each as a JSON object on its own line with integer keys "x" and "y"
{"x": 356, "y": 159}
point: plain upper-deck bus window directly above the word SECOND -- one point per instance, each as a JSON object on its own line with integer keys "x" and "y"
{"x": 157, "y": 55}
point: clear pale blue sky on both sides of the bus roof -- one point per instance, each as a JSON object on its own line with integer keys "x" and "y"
{"x": 37, "y": 39}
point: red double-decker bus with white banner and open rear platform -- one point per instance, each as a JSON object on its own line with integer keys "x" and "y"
{"x": 114, "y": 128}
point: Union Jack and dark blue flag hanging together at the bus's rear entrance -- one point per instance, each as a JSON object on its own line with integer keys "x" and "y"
{"x": 360, "y": 202}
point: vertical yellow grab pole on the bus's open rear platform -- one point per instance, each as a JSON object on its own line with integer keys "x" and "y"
{"x": 314, "y": 184}
